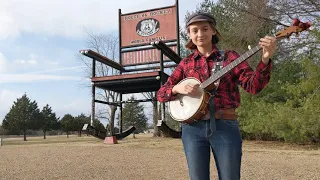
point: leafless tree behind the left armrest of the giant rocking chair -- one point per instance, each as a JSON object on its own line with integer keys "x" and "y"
{"x": 106, "y": 45}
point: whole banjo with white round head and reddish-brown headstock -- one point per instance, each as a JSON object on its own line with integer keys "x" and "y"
{"x": 187, "y": 108}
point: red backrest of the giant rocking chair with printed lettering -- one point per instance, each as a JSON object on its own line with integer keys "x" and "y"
{"x": 138, "y": 30}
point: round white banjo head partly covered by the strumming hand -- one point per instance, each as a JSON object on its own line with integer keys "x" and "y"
{"x": 185, "y": 106}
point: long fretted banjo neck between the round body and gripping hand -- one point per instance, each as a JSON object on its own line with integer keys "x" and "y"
{"x": 207, "y": 84}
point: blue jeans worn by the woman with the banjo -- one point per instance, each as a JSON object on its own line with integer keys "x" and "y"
{"x": 226, "y": 145}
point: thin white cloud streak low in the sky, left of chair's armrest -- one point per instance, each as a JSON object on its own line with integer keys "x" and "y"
{"x": 27, "y": 78}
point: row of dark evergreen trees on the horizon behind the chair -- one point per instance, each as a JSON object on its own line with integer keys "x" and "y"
{"x": 25, "y": 115}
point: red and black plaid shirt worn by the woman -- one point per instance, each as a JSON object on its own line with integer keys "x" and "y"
{"x": 227, "y": 95}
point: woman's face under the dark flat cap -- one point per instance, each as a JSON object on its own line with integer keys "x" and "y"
{"x": 201, "y": 33}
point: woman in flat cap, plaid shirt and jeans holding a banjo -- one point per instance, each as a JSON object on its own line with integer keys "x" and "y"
{"x": 218, "y": 128}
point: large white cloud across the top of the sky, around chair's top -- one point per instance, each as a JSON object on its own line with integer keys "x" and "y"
{"x": 69, "y": 18}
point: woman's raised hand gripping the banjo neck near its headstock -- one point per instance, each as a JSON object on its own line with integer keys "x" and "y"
{"x": 269, "y": 46}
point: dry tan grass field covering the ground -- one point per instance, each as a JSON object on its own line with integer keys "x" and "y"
{"x": 144, "y": 157}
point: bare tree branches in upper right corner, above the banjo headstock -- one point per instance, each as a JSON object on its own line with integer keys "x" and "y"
{"x": 279, "y": 14}
